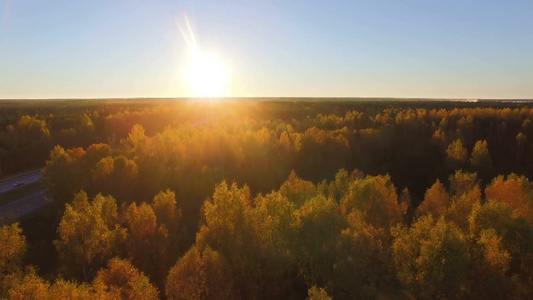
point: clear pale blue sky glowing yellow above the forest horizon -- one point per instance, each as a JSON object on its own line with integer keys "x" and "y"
{"x": 140, "y": 48}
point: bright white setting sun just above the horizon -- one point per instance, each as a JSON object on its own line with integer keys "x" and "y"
{"x": 206, "y": 76}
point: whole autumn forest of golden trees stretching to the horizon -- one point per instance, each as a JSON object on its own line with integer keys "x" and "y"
{"x": 271, "y": 200}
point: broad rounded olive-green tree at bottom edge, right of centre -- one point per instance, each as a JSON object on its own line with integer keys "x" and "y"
{"x": 431, "y": 258}
